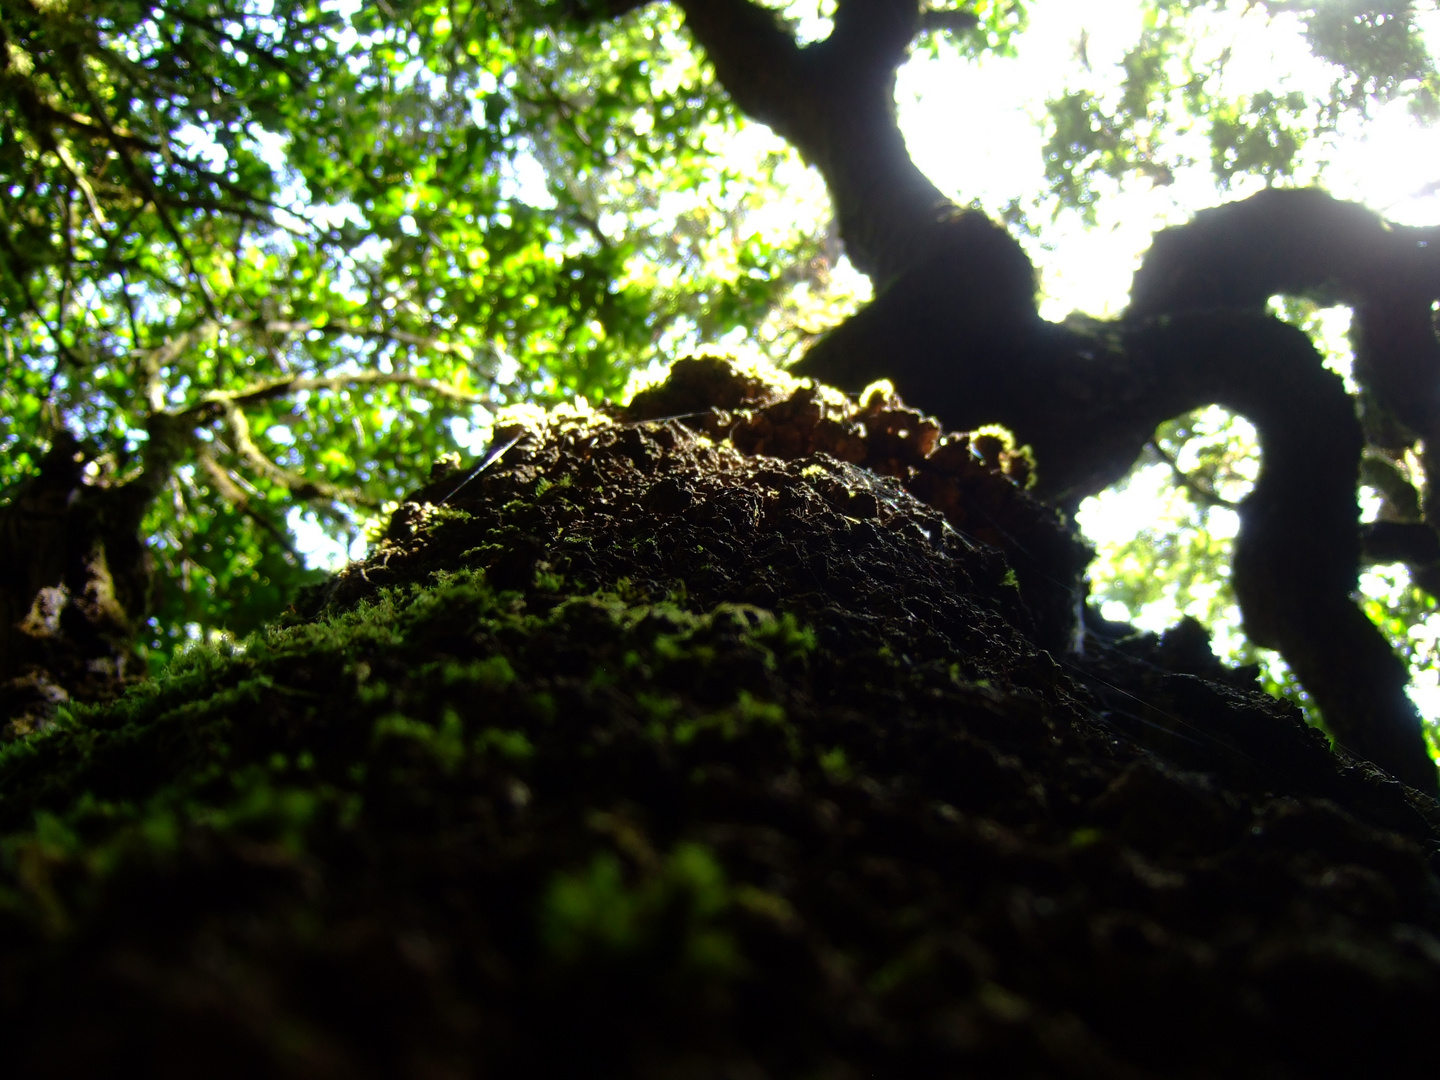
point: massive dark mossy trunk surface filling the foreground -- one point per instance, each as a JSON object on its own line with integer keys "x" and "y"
{"x": 699, "y": 747}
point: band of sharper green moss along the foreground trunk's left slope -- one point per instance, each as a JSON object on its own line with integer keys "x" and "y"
{"x": 292, "y": 731}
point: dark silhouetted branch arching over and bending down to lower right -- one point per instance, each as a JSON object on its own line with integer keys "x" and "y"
{"x": 1088, "y": 397}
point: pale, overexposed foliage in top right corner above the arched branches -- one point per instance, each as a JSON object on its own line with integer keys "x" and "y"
{"x": 1179, "y": 83}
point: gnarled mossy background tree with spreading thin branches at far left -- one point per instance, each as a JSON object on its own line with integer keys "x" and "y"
{"x": 77, "y": 580}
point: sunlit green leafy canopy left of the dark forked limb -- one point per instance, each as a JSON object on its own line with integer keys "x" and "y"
{"x": 277, "y": 258}
